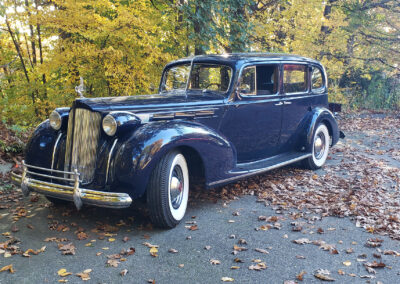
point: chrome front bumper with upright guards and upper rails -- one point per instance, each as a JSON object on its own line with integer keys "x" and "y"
{"x": 74, "y": 193}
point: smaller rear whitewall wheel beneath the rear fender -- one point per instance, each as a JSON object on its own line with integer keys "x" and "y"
{"x": 320, "y": 148}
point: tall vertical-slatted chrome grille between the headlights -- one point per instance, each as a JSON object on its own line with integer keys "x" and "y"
{"x": 82, "y": 140}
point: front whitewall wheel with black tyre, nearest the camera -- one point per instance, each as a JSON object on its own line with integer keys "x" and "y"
{"x": 168, "y": 190}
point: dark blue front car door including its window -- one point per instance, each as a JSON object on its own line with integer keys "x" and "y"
{"x": 253, "y": 120}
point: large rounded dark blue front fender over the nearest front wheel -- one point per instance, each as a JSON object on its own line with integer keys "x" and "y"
{"x": 139, "y": 153}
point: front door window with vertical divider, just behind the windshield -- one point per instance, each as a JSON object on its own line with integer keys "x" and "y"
{"x": 260, "y": 80}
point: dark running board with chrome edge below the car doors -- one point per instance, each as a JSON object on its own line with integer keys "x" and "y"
{"x": 247, "y": 170}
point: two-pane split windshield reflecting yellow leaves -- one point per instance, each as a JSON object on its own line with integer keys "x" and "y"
{"x": 204, "y": 77}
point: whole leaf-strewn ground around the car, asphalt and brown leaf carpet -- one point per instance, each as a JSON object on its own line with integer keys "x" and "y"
{"x": 286, "y": 225}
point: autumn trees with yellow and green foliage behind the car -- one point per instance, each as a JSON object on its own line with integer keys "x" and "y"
{"x": 120, "y": 47}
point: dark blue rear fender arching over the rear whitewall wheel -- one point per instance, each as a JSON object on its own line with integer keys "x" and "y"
{"x": 321, "y": 115}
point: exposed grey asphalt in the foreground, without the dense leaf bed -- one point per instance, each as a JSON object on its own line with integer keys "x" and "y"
{"x": 221, "y": 225}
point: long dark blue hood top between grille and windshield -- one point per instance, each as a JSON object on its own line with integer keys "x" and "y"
{"x": 150, "y": 103}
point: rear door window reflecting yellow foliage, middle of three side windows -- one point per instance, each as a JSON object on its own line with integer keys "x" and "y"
{"x": 294, "y": 78}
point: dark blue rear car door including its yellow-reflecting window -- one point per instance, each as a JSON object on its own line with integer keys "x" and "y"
{"x": 297, "y": 101}
